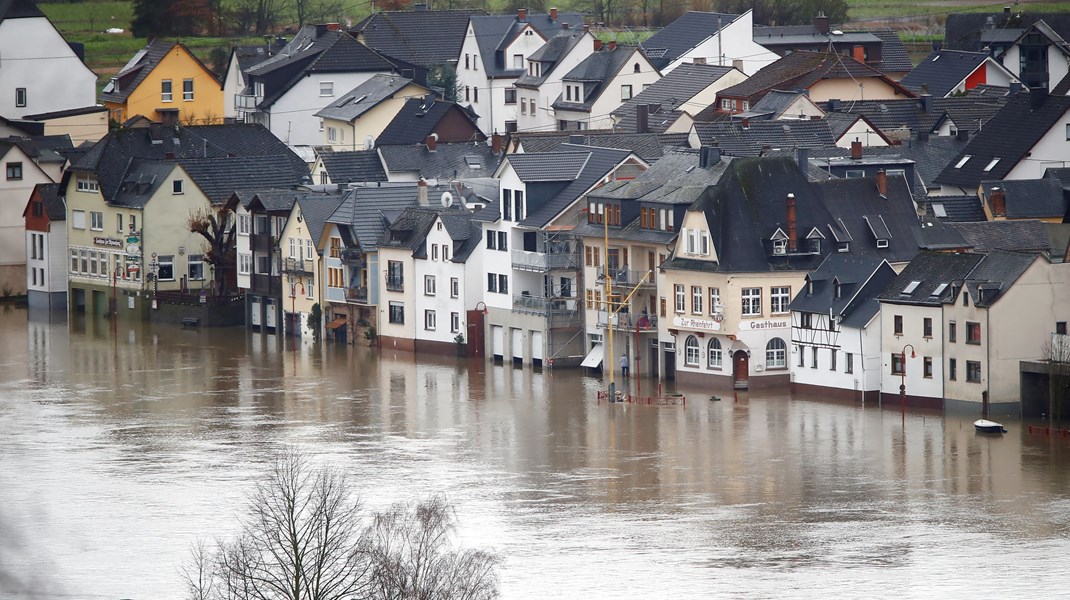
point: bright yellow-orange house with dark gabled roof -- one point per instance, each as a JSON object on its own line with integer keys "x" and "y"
{"x": 162, "y": 79}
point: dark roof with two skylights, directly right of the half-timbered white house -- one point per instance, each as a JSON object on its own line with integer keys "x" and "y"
{"x": 931, "y": 270}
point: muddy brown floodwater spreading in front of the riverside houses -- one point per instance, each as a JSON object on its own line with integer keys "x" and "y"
{"x": 121, "y": 449}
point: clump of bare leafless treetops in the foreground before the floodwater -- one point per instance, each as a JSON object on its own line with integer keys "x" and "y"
{"x": 307, "y": 537}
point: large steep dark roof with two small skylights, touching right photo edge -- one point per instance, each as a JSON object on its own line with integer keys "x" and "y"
{"x": 1008, "y": 136}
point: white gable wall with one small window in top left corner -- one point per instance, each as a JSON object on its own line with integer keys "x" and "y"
{"x": 36, "y": 59}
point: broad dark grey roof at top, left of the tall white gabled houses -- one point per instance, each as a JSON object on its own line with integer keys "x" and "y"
{"x": 422, "y": 38}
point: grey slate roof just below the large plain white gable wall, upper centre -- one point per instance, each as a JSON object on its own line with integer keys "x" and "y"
{"x": 671, "y": 95}
